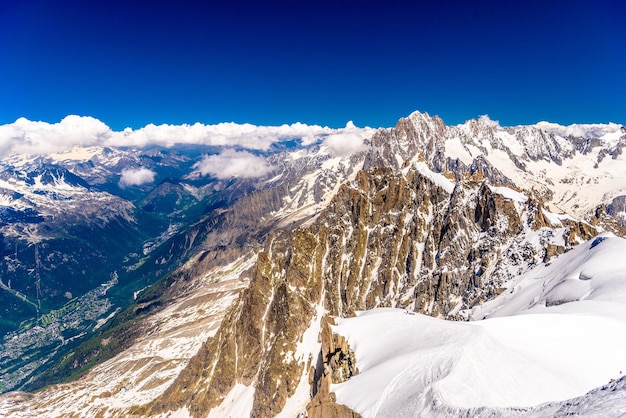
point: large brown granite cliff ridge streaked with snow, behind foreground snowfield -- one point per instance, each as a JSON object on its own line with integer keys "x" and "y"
{"x": 387, "y": 238}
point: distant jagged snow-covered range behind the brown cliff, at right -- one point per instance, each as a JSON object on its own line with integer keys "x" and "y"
{"x": 557, "y": 162}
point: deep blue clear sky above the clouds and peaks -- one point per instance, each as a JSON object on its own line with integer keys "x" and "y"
{"x": 319, "y": 62}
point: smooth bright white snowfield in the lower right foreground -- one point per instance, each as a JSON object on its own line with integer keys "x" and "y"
{"x": 559, "y": 332}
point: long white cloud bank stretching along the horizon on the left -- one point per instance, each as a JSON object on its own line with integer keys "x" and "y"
{"x": 24, "y": 136}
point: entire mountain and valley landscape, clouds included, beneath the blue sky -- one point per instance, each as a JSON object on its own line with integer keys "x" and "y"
{"x": 300, "y": 271}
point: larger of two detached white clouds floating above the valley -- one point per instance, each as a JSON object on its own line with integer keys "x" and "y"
{"x": 230, "y": 163}
